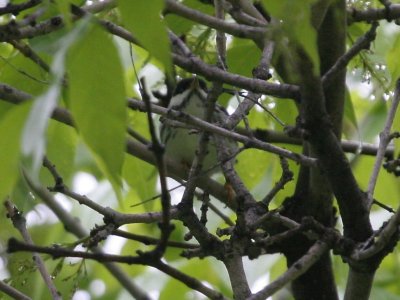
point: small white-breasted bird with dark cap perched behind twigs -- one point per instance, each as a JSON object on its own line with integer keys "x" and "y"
{"x": 190, "y": 97}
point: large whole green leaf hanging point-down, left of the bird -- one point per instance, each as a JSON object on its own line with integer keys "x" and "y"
{"x": 97, "y": 100}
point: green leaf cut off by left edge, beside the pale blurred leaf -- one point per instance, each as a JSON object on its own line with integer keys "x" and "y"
{"x": 11, "y": 126}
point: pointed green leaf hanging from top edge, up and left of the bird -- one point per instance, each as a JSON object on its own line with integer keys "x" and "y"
{"x": 143, "y": 19}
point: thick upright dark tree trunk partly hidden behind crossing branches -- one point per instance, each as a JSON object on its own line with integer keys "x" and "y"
{"x": 313, "y": 195}
